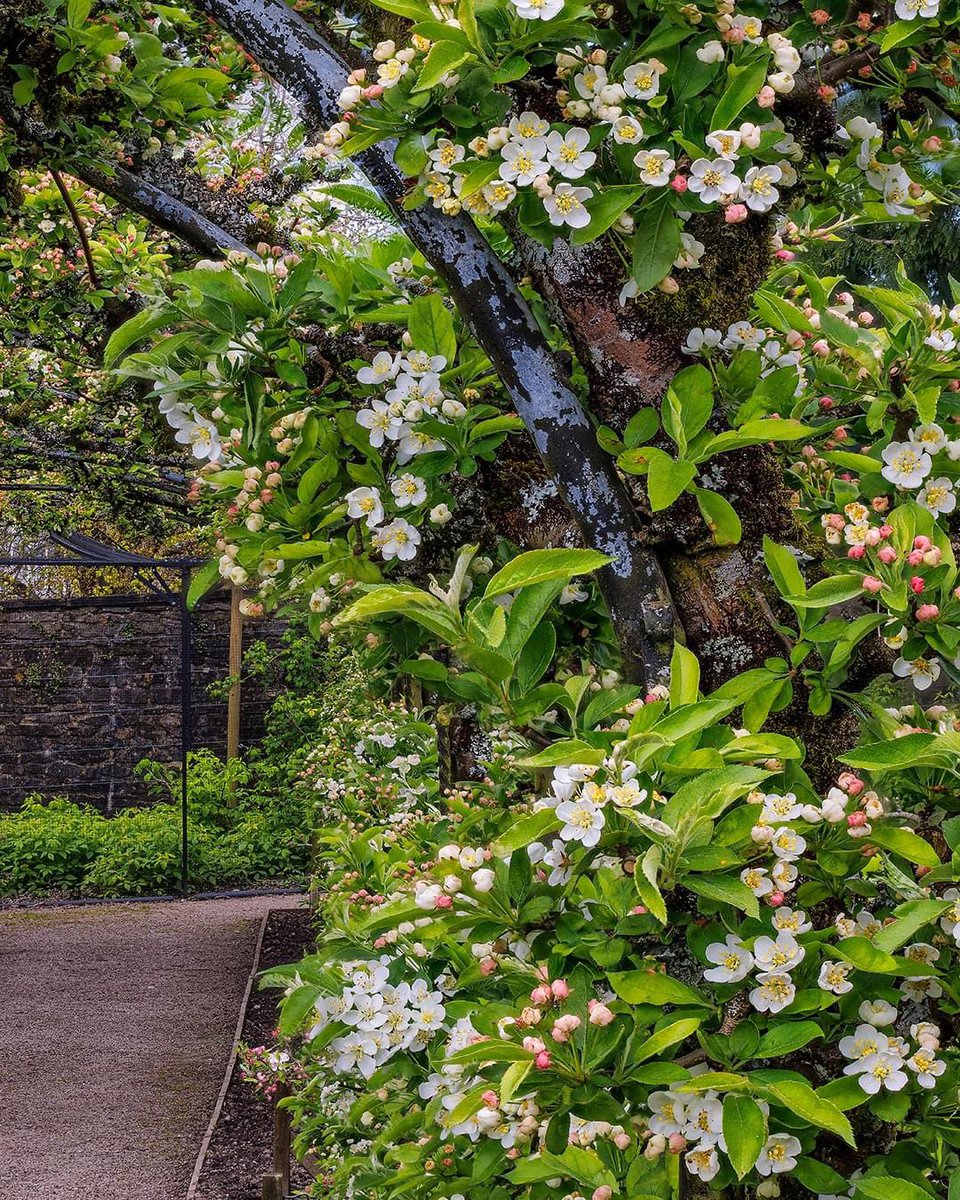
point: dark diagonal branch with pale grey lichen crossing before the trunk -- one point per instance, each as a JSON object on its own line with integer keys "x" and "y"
{"x": 634, "y": 586}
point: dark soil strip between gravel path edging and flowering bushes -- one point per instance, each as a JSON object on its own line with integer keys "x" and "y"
{"x": 242, "y": 1148}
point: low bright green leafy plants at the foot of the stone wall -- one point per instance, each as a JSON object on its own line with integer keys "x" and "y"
{"x": 247, "y": 824}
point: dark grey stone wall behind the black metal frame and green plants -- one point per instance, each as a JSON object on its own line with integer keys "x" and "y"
{"x": 88, "y": 688}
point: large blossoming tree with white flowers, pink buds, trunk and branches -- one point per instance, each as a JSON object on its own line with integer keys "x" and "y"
{"x": 692, "y": 926}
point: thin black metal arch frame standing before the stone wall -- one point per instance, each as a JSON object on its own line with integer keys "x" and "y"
{"x": 77, "y": 550}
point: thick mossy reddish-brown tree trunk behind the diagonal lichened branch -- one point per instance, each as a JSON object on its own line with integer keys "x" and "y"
{"x": 631, "y": 353}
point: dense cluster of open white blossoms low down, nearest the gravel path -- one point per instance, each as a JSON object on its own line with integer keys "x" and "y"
{"x": 382, "y": 1018}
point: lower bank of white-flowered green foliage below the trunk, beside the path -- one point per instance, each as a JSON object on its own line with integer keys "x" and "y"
{"x": 651, "y": 950}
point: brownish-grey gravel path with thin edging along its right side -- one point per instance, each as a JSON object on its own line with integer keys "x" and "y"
{"x": 116, "y": 1028}
